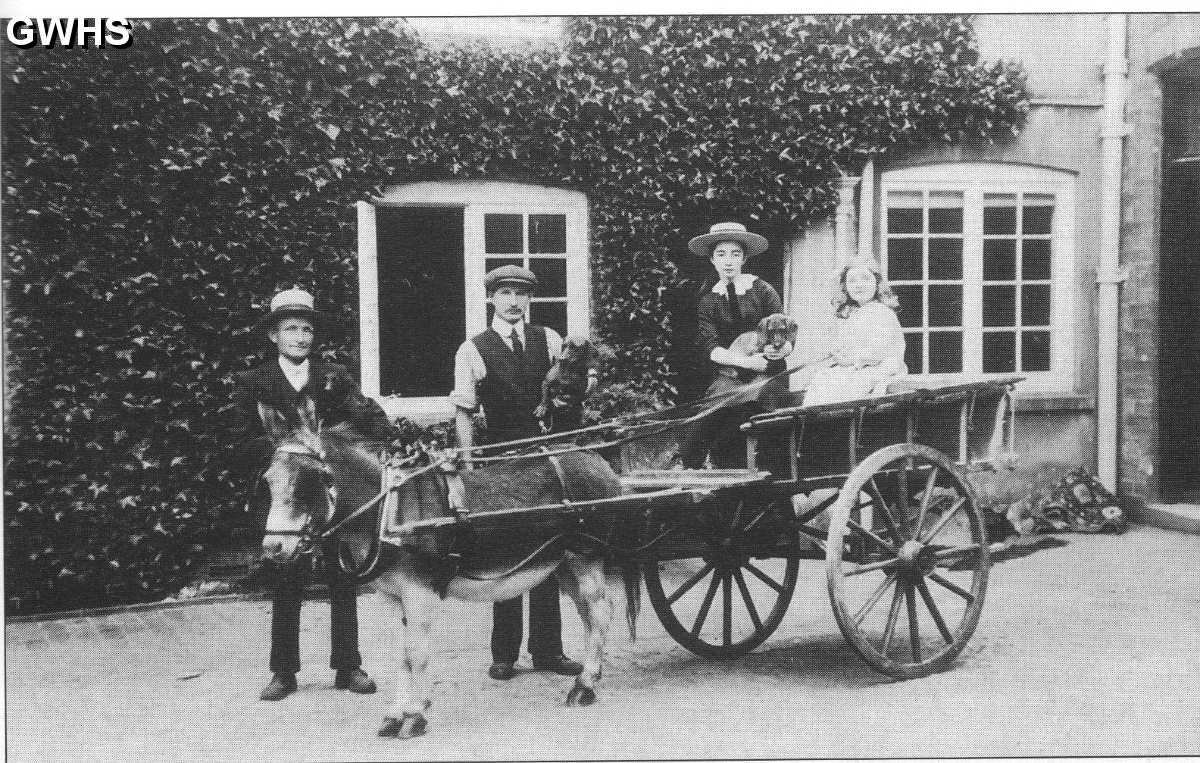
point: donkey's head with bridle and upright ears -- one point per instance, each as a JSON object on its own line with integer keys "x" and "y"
{"x": 302, "y": 483}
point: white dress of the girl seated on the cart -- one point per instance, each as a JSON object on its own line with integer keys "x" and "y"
{"x": 872, "y": 339}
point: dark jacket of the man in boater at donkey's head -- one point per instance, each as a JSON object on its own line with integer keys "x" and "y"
{"x": 331, "y": 387}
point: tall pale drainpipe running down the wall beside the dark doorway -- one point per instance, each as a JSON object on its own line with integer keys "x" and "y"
{"x": 1109, "y": 274}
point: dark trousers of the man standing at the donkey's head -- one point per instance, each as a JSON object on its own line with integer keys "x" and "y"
{"x": 344, "y": 620}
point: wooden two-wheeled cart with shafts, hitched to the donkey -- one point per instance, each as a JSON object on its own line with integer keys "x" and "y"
{"x": 877, "y": 489}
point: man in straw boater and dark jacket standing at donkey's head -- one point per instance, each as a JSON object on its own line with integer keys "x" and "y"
{"x": 285, "y": 382}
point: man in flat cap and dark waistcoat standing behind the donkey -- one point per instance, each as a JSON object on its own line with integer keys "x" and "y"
{"x": 501, "y": 371}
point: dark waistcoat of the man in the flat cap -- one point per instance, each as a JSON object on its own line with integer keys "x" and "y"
{"x": 513, "y": 386}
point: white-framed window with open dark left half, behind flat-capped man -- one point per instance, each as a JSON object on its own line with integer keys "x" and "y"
{"x": 423, "y": 253}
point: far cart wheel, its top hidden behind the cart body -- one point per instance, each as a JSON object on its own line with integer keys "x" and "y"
{"x": 725, "y": 603}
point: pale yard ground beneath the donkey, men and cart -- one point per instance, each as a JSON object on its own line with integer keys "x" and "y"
{"x": 1085, "y": 650}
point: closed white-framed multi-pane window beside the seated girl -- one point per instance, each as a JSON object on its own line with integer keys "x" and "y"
{"x": 982, "y": 259}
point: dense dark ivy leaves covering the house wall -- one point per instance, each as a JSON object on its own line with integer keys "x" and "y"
{"x": 155, "y": 197}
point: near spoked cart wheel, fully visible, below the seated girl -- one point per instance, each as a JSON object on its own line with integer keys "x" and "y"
{"x": 907, "y": 537}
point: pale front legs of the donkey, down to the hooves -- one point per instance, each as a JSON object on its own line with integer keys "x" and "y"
{"x": 415, "y": 612}
